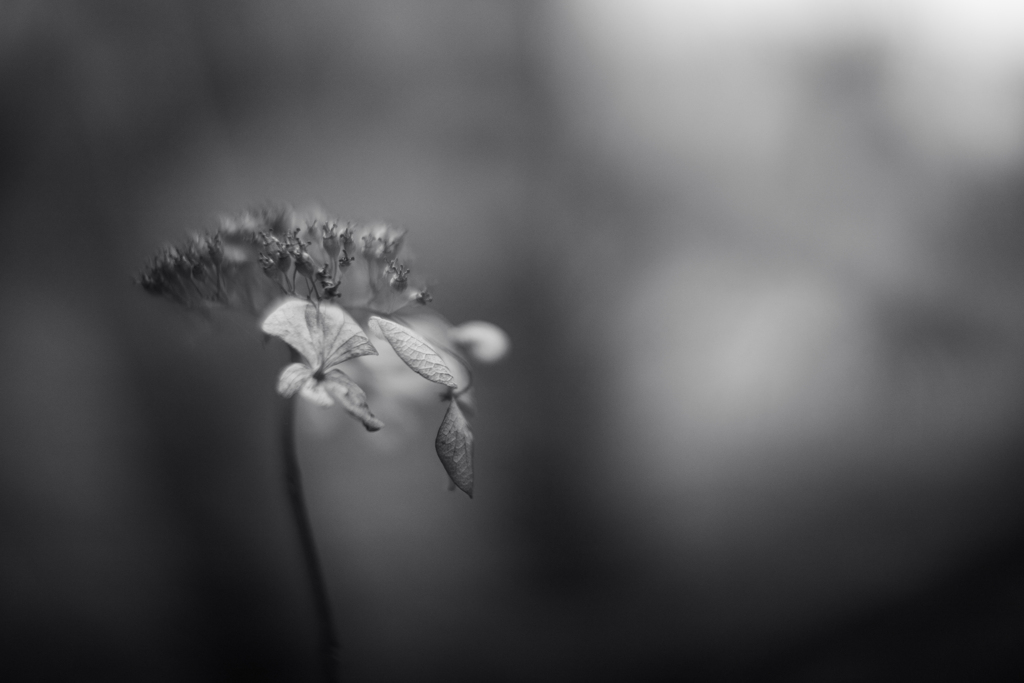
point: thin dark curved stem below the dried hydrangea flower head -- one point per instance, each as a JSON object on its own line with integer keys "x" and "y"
{"x": 293, "y": 478}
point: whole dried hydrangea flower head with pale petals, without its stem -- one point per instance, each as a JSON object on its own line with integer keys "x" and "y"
{"x": 320, "y": 285}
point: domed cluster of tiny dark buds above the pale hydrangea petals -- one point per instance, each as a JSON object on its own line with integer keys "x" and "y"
{"x": 253, "y": 259}
